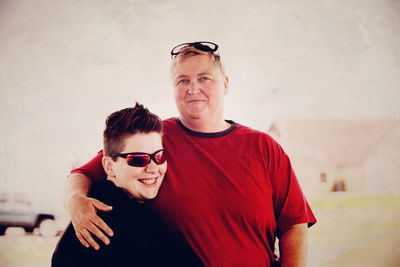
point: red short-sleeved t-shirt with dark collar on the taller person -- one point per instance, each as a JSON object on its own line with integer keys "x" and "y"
{"x": 229, "y": 193}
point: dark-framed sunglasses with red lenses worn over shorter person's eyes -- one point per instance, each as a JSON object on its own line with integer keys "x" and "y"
{"x": 141, "y": 159}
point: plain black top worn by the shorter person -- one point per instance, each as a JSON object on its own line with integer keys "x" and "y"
{"x": 140, "y": 237}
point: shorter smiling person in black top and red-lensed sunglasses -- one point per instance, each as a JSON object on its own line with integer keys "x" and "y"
{"x": 135, "y": 163}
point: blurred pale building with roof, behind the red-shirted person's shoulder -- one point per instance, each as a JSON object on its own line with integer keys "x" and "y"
{"x": 360, "y": 156}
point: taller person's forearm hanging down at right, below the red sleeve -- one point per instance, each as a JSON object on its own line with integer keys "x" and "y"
{"x": 293, "y": 246}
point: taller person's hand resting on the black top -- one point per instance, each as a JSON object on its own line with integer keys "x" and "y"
{"x": 86, "y": 222}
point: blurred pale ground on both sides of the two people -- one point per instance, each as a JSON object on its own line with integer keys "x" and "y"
{"x": 351, "y": 231}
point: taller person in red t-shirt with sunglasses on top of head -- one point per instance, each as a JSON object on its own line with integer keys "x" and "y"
{"x": 230, "y": 190}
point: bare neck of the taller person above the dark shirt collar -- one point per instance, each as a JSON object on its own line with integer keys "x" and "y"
{"x": 205, "y": 126}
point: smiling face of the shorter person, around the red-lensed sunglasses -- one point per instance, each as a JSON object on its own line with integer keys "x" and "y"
{"x": 140, "y": 182}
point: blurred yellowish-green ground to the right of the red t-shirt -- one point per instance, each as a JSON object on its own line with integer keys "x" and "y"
{"x": 355, "y": 231}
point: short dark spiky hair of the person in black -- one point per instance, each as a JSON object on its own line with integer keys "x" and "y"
{"x": 125, "y": 122}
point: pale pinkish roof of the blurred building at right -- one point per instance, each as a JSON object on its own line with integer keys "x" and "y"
{"x": 343, "y": 142}
